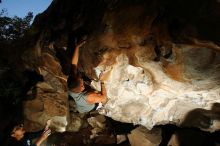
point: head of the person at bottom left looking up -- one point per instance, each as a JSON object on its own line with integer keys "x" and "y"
{"x": 17, "y": 131}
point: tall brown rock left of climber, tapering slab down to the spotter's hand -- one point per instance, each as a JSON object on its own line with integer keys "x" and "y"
{"x": 48, "y": 98}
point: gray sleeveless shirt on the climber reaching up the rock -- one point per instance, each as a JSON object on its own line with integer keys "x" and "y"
{"x": 81, "y": 103}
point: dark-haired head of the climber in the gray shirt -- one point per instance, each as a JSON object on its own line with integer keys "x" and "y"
{"x": 75, "y": 84}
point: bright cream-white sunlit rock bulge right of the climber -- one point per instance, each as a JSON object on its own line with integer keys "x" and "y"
{"x": 148, "y": 94}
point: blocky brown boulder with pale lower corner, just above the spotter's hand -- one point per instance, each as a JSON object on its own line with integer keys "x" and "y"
{"x": 47, "y": 105}
